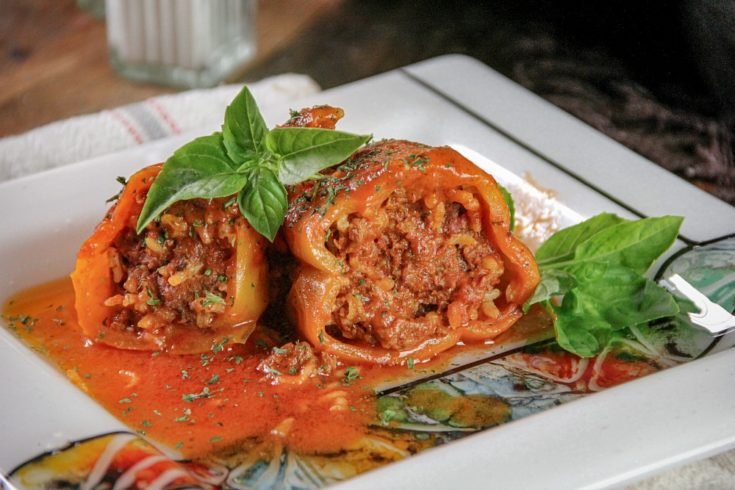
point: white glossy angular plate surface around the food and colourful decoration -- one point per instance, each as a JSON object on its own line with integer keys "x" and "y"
{"x": 599, "y": 441}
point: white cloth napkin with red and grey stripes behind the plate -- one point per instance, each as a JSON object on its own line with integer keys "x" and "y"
{"x": 78, "y": 138}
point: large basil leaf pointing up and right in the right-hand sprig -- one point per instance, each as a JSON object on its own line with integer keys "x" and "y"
{"x": 633, "y": 244}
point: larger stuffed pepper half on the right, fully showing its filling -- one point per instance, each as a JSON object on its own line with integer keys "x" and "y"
{"x": 404, "y": 250}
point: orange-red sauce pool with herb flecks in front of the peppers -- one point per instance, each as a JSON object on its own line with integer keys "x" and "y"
{"x": 208, "y": 403}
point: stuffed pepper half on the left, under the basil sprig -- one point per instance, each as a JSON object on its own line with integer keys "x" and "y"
{"x": 195, "y": 277}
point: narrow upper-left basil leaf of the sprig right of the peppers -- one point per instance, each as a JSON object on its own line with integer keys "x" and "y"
{"x": 562, "y": 244}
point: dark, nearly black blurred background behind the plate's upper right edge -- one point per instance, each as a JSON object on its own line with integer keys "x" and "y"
{"x": 645, "y": 73}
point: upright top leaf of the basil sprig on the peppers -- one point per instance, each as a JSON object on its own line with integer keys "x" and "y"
{"x": 244, "y": 130}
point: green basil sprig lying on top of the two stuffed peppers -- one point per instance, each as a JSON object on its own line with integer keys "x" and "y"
{"x": 247, "y": 159}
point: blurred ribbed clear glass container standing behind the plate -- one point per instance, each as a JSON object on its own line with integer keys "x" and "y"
{"x": 185, "y": 43}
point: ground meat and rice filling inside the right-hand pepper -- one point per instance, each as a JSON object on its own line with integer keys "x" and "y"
{"x": 417, "y": 268}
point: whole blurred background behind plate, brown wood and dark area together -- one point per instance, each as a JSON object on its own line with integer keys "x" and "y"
{"x": 658, "y": 76}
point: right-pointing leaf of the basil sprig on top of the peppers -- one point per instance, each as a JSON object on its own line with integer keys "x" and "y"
{"x": 306, "y": 151}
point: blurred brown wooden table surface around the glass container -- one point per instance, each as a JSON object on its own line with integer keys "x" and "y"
{"x": 54, "y": 61}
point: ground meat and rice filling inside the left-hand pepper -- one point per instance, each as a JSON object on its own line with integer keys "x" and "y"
{"x": 178, "y": 271}
